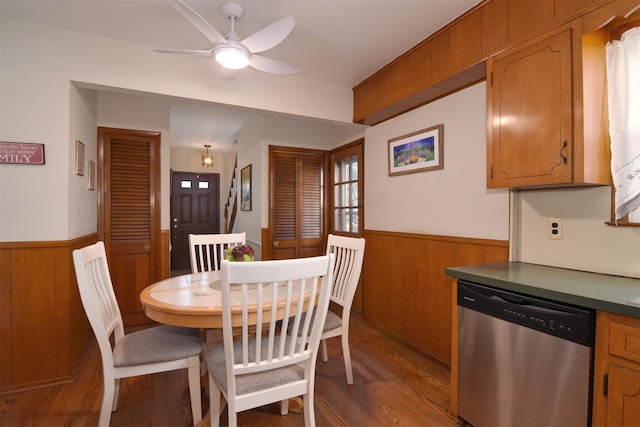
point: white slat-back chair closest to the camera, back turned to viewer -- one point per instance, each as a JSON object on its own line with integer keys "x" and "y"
{"x": 262, "y": 365}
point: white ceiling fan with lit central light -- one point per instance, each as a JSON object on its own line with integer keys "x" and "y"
{"x": 233, "y": 53}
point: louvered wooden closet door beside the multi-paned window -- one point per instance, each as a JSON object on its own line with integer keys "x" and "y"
{"x": 297, "y": 217}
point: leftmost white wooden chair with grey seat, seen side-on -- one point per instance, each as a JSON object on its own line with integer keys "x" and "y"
{"x": 148, "y": 351}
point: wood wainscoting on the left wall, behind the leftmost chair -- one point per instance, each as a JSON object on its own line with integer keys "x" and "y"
{"x": 44, "y": 331}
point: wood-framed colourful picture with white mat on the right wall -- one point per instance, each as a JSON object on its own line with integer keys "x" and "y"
{"x": 417, "y": 151}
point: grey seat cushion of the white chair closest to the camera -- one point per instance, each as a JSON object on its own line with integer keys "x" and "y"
{"x": 248, "y": 383}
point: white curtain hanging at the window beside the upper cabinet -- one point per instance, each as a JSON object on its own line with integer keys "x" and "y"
{"x": 623, "y": 85}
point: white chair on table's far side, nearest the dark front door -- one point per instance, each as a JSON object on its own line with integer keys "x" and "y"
{"x": 207, "y": 250}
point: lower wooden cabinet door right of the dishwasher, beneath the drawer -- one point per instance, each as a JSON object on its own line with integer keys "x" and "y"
{"x": 623, "y": 405}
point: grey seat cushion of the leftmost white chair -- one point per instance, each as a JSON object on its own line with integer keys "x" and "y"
{"x": 157, "y": 344}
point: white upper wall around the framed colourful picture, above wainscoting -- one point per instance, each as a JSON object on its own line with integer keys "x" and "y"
{"x": 453, "y": 201}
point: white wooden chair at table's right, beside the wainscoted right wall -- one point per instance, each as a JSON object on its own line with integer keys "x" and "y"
{"x": 349, "y": 253}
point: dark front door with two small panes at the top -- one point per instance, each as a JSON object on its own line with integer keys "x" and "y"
{"x": 195, "y": 209}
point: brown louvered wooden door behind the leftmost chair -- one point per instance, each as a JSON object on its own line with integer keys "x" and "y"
{"x": 129, "y": 214}
